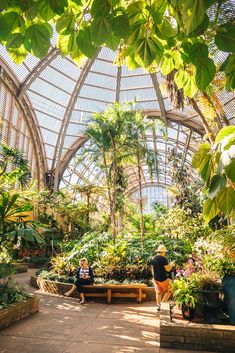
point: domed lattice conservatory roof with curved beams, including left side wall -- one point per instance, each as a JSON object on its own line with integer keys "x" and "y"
{"x": 57, "y": 99}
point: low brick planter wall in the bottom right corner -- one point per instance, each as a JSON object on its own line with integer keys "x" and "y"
{"x": 182, "y": 334}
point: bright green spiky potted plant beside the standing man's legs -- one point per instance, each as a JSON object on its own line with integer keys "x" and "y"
{"x": 186, "y": 296}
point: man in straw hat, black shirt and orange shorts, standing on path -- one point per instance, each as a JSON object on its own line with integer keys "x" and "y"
{"x": 162, "y": 283}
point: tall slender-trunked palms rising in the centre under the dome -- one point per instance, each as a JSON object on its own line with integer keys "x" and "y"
{"x": 117, "y": 141}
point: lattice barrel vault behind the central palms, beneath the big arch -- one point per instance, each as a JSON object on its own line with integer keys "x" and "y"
{"x": 180, "y": 138}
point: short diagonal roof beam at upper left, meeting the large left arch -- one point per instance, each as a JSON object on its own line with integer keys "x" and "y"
{"x": 36, "y": 71}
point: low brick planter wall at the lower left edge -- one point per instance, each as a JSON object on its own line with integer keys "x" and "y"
{"x": 18, "y": 311}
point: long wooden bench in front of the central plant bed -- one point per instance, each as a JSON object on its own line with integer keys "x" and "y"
{"x": 110, "y": 291}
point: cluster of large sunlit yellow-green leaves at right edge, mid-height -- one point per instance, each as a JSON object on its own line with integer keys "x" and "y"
{"x": 216, "y": 165}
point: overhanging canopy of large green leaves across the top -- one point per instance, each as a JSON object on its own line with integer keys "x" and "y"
{"x": 151, "y": 34}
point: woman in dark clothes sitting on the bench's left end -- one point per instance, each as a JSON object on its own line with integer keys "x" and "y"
{"x": 84, "y": 276}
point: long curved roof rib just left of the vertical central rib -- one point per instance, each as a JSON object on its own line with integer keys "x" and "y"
{"x": 61, "y": 137}
